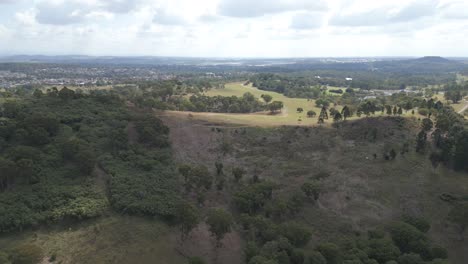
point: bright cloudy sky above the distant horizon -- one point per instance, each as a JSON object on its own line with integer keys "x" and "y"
{"x": 235, "y": 28}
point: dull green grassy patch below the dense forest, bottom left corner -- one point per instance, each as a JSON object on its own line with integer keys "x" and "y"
{"x": 112, "y": 239}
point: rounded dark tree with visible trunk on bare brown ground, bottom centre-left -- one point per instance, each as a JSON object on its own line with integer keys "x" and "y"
{"x": 219, "y": 222}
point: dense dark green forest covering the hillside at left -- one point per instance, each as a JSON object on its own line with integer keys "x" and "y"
{"x": 56, "y": 148}
